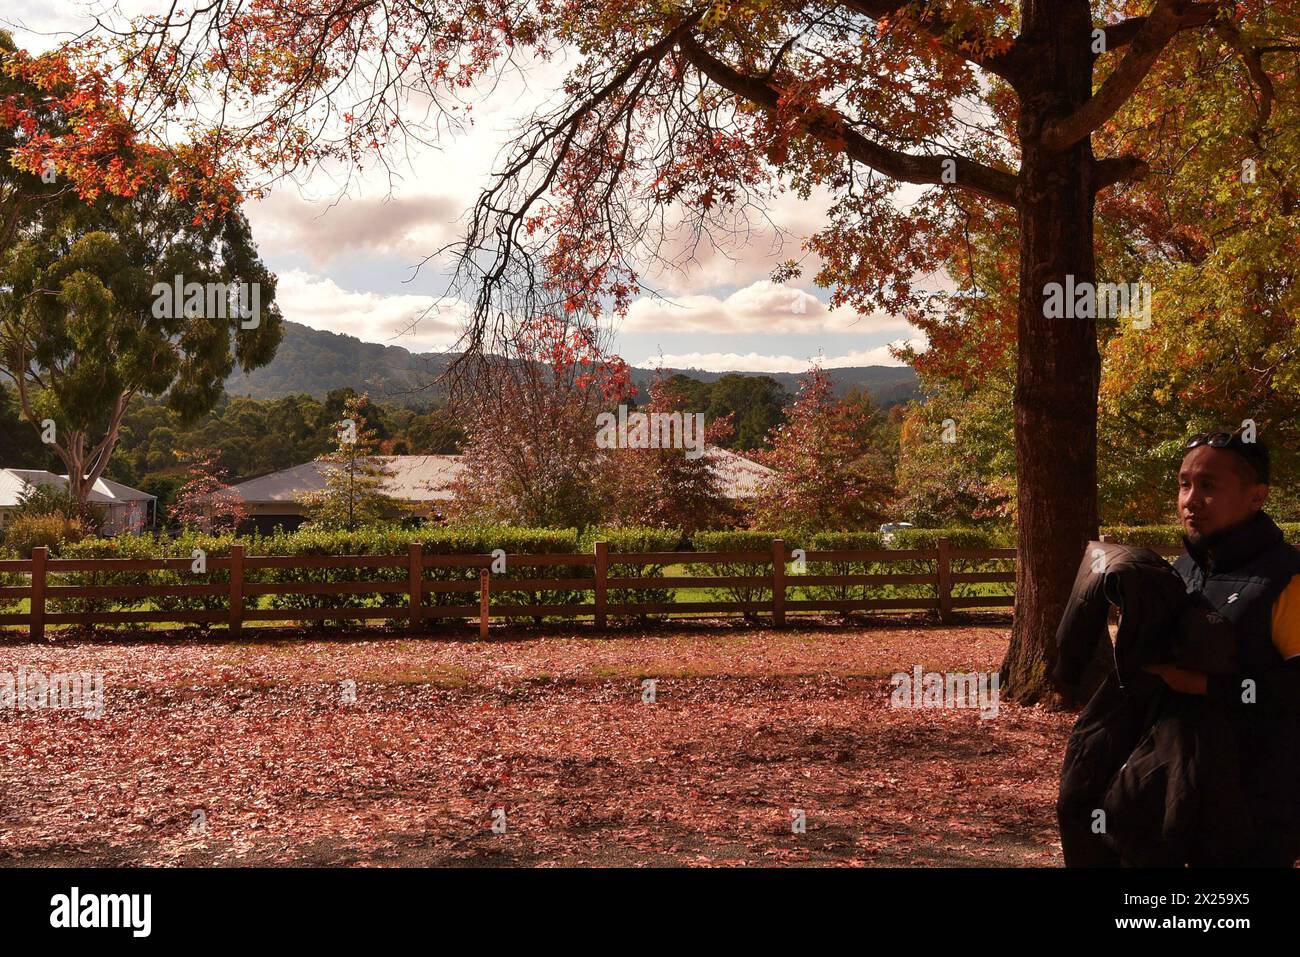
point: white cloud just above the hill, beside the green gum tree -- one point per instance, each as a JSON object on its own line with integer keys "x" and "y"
{"x": 393, "y": 321}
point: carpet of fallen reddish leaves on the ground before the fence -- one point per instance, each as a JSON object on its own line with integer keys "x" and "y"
{"x": 250, "y": 754}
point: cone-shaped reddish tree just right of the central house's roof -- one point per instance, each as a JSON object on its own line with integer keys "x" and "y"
{"x": 826, "y": 478}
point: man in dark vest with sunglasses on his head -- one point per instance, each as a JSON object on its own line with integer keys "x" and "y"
{"x": 1237, "y": 561}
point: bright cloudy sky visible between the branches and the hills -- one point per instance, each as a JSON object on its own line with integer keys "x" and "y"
{"x": 345, "y": 253}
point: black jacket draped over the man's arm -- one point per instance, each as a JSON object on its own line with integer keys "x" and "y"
{"x": 1150, "y": 777}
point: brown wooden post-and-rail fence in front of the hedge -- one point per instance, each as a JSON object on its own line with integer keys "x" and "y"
{"x": 237, "y": 600}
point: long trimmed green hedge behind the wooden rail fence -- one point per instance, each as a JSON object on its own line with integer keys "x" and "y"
{"x": 484, "y": 539}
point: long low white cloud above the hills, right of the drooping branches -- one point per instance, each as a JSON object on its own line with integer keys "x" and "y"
{"x": 761, "y": 308}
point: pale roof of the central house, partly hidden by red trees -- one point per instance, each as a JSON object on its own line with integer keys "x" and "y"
{"x": 428, "y": 479}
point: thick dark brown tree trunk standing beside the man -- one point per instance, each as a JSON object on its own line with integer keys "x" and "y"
{"x": 1058, "y": 362}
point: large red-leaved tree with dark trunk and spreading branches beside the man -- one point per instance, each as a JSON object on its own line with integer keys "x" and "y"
{"x": 678, "y": 120}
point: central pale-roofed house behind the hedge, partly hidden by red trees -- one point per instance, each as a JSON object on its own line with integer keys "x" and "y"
{"x": 423, "y": 483}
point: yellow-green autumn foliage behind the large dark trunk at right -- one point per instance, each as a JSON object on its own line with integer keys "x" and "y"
{"x": 1214, "y": 231}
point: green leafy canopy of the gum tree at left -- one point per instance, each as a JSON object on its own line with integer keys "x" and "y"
{"x": 81, "y": 327}
